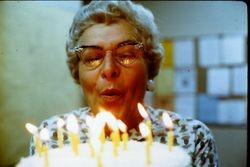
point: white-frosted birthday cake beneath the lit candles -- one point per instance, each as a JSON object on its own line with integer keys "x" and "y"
{"x": 133, "y": 155}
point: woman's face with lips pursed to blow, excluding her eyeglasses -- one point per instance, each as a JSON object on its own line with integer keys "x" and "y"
{"x": 112, "y": 86}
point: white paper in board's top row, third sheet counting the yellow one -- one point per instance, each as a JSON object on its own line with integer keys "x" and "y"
{"x": 209, "y": 51}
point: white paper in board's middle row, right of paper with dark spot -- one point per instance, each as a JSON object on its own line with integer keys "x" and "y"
{"x": 218, "y": 81}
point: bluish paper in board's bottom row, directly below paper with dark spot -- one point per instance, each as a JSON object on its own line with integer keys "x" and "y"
{"x": 185, "y": 105}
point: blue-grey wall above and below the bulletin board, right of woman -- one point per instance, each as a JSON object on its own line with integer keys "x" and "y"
{"x": 194, "y": 19}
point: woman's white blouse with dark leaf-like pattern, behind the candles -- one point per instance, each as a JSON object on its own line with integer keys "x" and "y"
{"x": 190, "y": 134}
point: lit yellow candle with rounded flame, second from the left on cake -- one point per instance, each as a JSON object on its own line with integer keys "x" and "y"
{"x": 44, "y": 135}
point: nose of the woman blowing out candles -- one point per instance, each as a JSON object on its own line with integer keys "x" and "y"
{"x": 110, "y": 70}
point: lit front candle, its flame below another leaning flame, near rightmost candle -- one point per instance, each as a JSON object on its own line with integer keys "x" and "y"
{"x": 145, "y": 133}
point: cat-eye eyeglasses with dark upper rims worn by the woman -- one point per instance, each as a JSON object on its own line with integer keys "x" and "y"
{"x": 125, "y": 53}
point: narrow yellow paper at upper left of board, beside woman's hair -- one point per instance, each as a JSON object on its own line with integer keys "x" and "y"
{"x": 168, "y": 53}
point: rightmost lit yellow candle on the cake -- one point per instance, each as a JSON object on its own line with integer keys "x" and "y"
{"x": 169, "y": 124}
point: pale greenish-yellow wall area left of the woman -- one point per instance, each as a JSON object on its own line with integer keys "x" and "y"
{"x": 35, "y": 82}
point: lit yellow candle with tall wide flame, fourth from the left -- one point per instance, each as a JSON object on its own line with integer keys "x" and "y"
{"x": 73, "y": 129}
